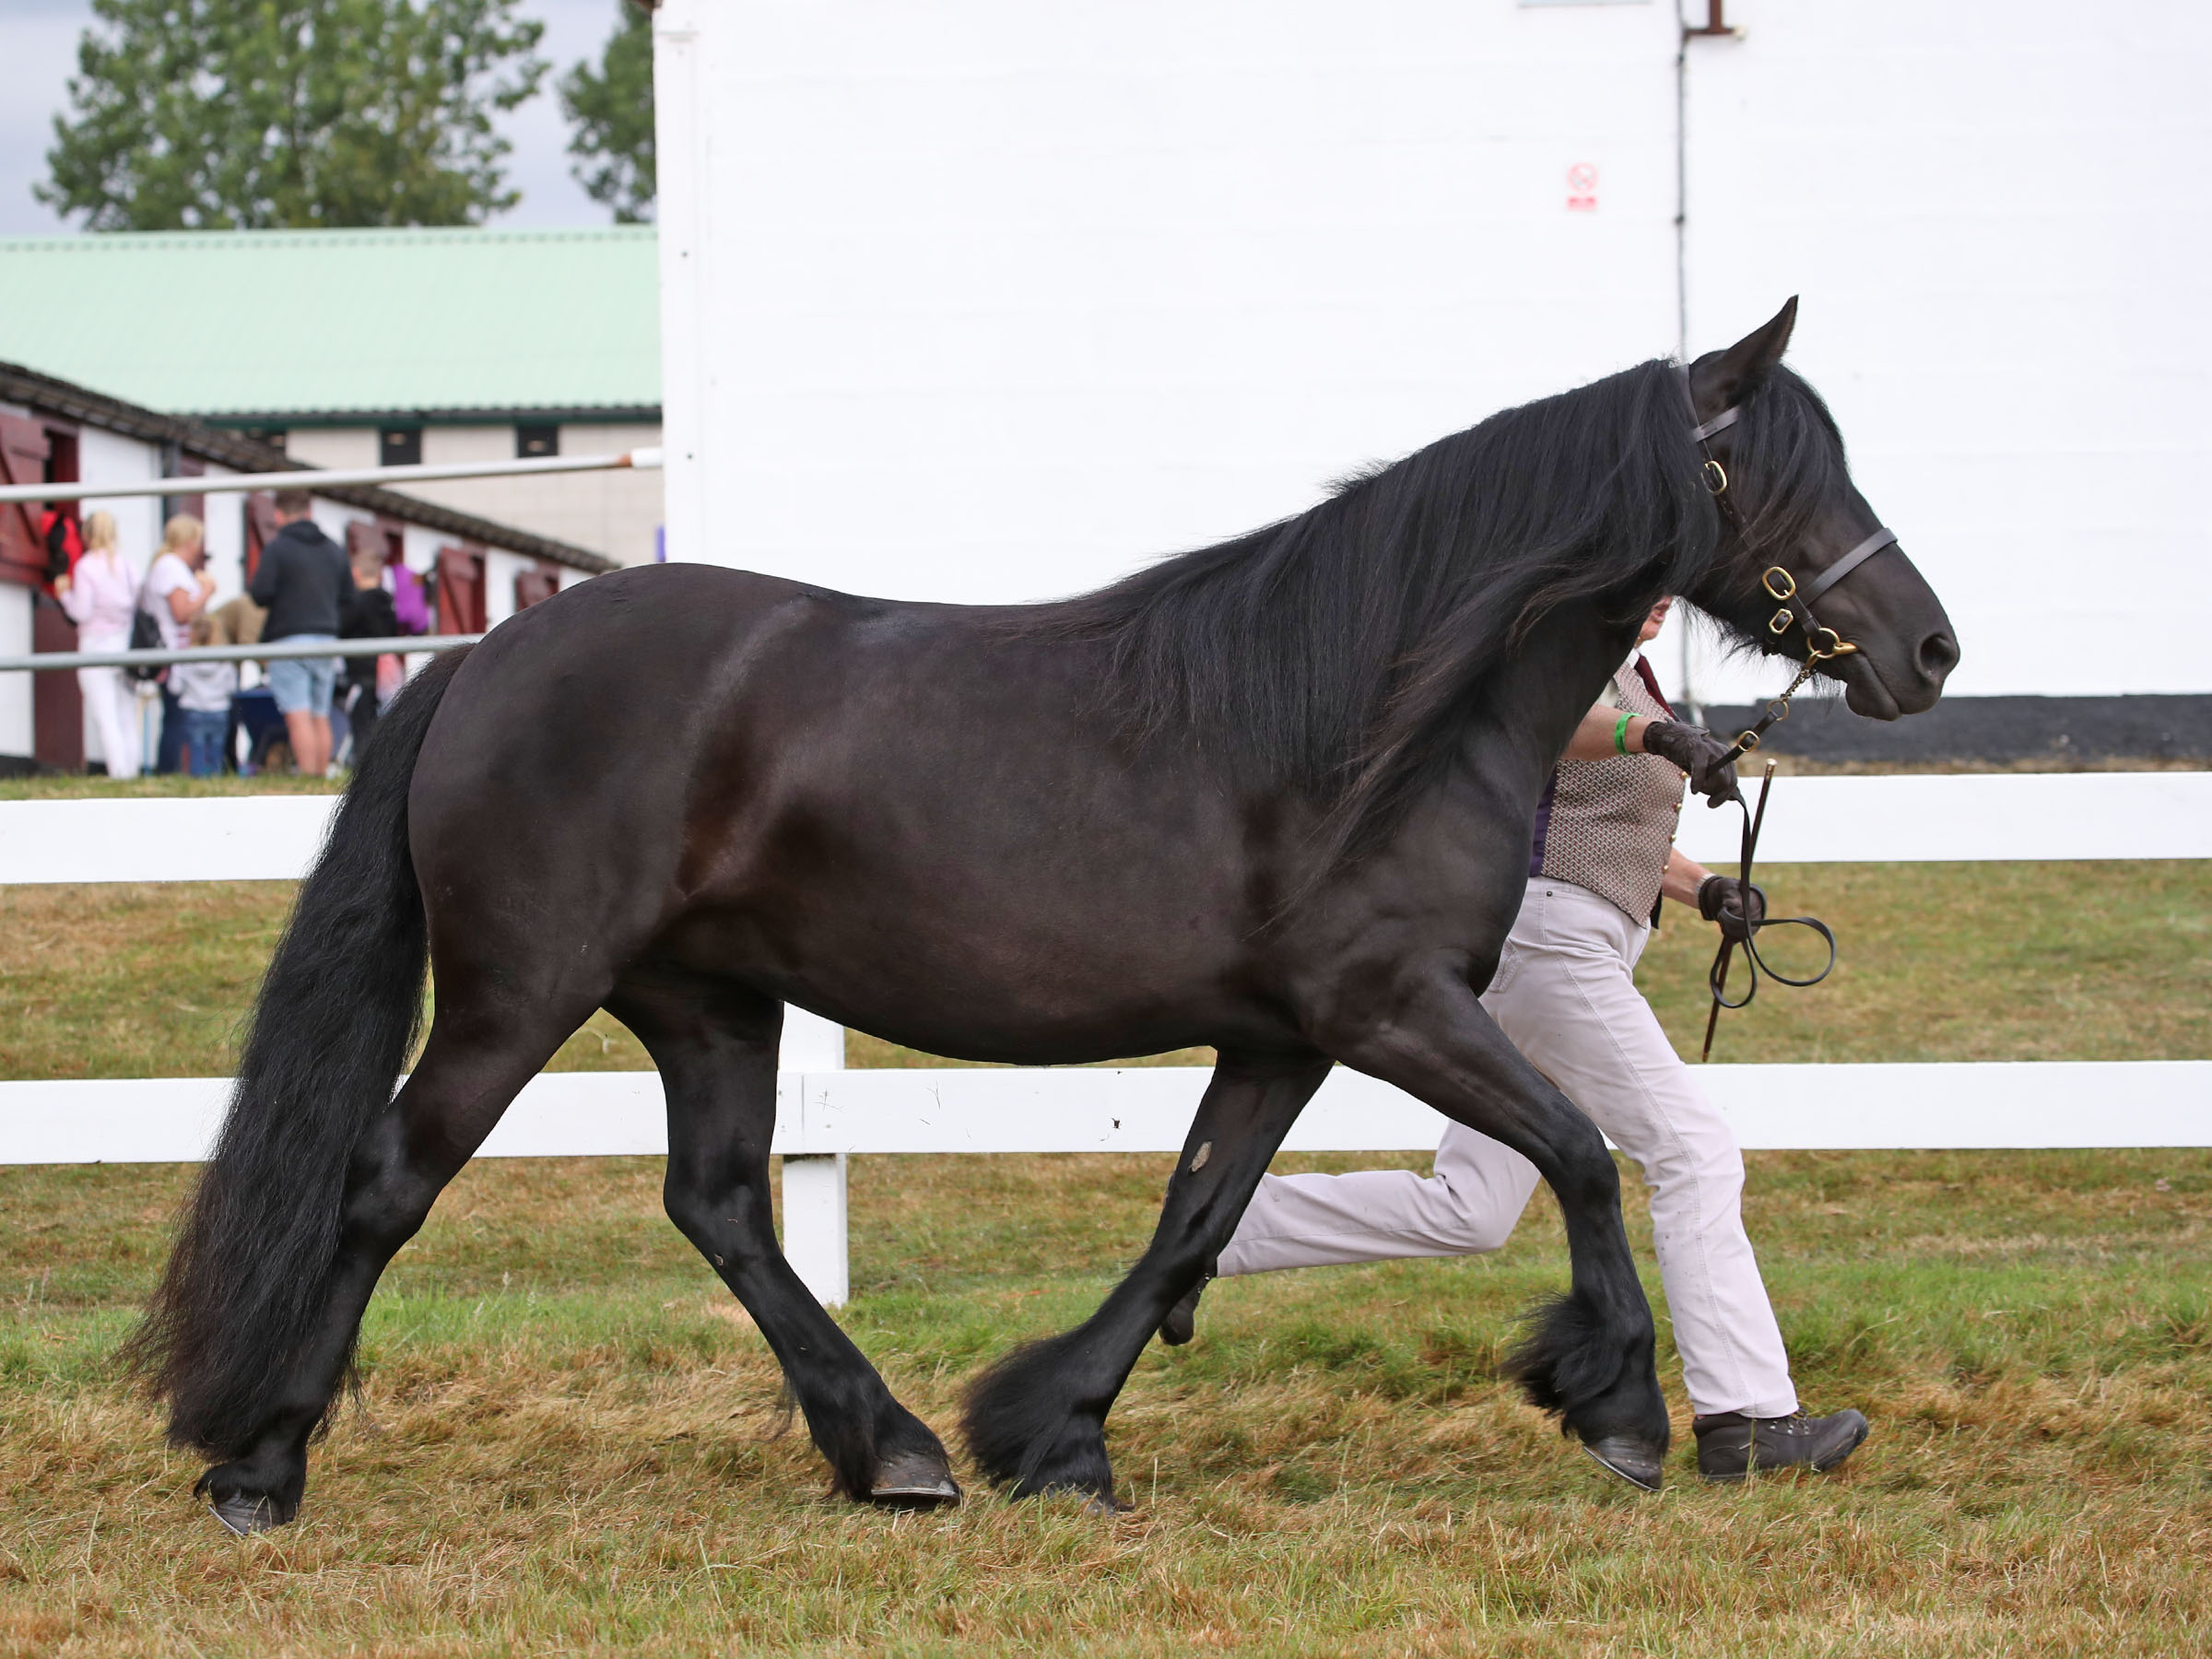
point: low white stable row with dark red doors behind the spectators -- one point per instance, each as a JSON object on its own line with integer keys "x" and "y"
{"x": 59, "y": 432}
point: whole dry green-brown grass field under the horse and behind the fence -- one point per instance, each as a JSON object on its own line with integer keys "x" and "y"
{"x": 570, "y": 1437}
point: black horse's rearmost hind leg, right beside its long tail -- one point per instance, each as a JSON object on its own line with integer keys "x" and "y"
{"x": 472, "y": 1067}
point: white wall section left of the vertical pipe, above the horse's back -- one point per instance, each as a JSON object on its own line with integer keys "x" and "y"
{"x": 997, "y": 302}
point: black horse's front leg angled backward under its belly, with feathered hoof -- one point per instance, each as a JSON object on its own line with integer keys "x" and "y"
{"x": 1036, "y": 1421}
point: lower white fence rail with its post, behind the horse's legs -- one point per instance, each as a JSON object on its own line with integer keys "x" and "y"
{"x": 826, "y": 1116}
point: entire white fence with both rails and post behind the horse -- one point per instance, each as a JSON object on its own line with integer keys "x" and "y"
{"x": 828, "y": 1114}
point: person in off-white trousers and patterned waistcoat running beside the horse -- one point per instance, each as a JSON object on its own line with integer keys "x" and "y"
{"x": 1565, "y": 994}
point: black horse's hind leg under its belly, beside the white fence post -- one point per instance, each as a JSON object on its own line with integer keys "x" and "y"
{"x": 716, "y": 1045}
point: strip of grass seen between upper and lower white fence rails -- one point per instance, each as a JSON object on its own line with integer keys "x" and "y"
{"x": 2034, "y": 961}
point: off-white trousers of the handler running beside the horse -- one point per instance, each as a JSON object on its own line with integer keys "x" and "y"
{"x": 1567, "y": 999}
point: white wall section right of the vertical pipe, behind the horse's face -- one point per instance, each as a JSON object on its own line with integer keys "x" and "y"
{"x": 1999, "y": 218}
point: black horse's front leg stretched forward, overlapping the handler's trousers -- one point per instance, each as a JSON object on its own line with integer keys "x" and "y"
{"x": 1589, "y": 1355}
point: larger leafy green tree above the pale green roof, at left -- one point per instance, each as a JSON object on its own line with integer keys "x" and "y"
{"x": 253, "y": 114}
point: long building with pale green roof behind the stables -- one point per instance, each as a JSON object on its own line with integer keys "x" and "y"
{"x": 377, "y": 348}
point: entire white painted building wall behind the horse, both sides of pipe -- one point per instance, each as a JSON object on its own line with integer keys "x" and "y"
{"x": 997, "y": 302}
